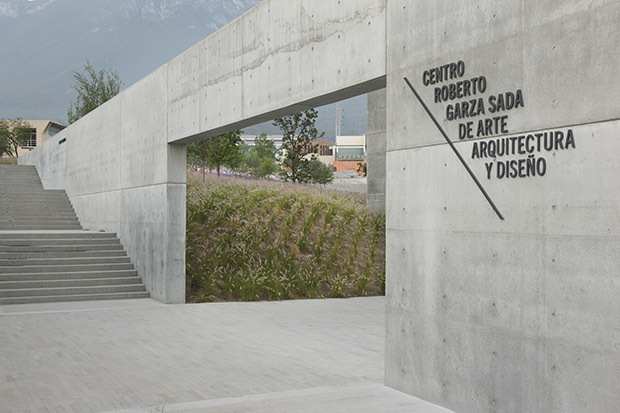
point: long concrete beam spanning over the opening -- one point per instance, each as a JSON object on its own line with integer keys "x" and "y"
{"x": 278, "y": 59}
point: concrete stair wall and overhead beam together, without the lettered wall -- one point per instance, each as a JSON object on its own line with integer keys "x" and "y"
{"x": 123, "y": 165}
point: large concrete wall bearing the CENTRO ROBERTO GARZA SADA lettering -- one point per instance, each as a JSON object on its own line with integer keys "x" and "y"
{"x": 520, "y": 315}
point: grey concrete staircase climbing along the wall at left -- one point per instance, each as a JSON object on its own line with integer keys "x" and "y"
{"x": 44, "y": 255}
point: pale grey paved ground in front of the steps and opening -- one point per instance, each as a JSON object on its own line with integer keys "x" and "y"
{"x": 143, "y": 356}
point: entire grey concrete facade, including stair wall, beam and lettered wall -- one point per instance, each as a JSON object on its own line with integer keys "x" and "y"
{"x": 484, "y": 314}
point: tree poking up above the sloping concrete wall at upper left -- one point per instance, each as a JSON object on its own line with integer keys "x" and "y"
{"x": 94, "y": 88}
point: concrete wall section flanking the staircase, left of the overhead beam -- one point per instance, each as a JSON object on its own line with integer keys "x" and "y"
{"x": 122, "y": 176}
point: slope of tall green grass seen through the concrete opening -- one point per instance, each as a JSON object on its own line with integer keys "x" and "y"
{"x": 262, "y": 240}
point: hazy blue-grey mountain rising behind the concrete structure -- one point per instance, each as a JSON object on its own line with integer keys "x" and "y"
{"x": 44, "y": 41}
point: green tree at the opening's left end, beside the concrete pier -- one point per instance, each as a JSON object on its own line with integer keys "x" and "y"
{"x": 217, "y": 151}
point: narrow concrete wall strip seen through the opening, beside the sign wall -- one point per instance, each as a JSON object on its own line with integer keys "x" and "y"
{"x": 376, "y": 149}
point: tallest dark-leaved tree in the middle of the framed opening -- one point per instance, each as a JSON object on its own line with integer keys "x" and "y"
{"x": 299, "y": 132}
